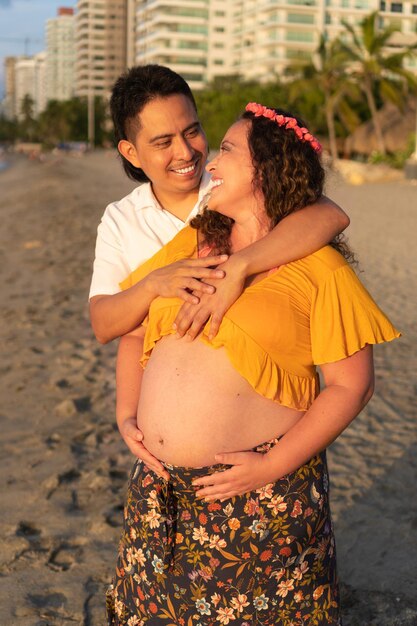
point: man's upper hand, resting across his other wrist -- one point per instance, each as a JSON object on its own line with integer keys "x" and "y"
{"x": 186, "y": 278}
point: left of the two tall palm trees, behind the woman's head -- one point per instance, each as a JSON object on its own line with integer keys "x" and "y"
{"x": 326, "y": 74}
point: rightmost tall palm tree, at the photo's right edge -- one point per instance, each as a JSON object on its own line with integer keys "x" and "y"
{"x": 372, "y": 66}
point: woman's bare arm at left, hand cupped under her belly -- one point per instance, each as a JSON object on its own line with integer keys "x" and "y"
{"x": 128, "y": 380}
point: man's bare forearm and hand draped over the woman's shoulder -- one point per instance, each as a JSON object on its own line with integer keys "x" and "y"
{"x": 296, "y": 236}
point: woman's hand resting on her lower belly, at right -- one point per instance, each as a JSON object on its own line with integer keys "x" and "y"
{"x": 249, "y": 471}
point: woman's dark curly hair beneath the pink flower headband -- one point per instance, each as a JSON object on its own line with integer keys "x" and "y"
{"x": 288, "y": 172}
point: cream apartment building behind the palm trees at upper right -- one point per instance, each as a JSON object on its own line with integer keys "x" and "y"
{"x": 270, "y": 34}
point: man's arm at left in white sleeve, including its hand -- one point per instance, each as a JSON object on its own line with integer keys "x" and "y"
{"x": 113, "y": 313}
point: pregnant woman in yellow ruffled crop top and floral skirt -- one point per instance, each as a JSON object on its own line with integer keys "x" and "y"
{"x": 236, "y": 527}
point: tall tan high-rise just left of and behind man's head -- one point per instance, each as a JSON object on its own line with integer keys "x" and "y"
{"x": 101, "y": 45}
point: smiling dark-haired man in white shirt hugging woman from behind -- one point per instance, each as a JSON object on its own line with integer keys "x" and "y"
{"x": 163, "y": 146}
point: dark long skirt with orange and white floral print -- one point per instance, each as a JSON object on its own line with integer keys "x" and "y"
{"x": 266, "y": 557}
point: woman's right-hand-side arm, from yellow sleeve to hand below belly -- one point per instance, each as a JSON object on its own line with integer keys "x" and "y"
{"x": 349, "y": 386}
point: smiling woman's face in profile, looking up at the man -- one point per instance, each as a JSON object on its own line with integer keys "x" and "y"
{"x": 233, "y": 192}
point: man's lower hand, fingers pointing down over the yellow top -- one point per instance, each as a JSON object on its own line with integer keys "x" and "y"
{"x": 192, "y": 317}
